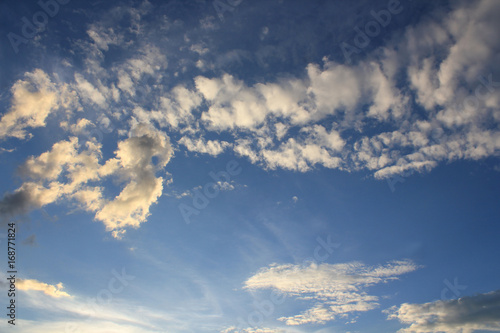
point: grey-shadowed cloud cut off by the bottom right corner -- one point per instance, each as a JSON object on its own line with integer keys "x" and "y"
{"x": 469, "y": 314}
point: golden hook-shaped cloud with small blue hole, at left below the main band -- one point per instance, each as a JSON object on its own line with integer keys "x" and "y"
{"x": 73, "y": 172}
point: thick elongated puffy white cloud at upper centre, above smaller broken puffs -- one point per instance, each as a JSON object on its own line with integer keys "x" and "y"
{"x": 333, "y": 89}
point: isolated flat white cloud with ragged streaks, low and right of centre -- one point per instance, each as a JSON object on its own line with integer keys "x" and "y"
{"x": 336, "y": 289}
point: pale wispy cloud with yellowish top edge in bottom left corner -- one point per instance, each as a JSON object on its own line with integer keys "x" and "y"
{"x": 77, "y": 313}
